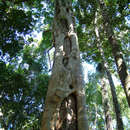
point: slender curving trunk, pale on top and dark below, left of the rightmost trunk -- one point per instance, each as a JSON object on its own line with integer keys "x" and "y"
{"x": 112, "y": 86}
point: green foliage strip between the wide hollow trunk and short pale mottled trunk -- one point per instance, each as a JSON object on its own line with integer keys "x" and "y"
{"x": 94, "y": 103}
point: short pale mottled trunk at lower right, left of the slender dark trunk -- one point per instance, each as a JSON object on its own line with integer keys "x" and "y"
{"x": 105, "y": 98}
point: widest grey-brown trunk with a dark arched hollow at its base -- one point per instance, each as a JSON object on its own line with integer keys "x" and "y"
{"x": 65, "y": 105}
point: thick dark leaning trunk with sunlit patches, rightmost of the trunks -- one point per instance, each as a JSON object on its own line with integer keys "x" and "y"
{"x": 120, "y": 63}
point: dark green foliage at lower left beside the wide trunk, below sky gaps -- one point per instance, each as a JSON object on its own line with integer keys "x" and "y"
{"x": 21, "y": 94}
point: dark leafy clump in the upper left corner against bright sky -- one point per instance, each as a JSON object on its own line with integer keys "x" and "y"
{"x": 15, "y": 23}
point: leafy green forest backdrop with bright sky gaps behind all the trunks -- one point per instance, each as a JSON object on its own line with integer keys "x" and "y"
{"x": 26, "y": 59}
